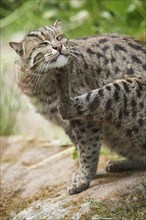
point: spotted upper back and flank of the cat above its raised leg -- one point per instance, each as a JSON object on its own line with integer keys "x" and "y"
{"x": 116, "y": 55}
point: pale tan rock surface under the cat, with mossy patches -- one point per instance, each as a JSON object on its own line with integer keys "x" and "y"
{"x": 36, "y": 173}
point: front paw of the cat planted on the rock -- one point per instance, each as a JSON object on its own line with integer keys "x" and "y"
{"x": 79, "y": 184}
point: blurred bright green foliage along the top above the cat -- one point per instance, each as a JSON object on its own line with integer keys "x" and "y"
{"x": 82, "y": 17}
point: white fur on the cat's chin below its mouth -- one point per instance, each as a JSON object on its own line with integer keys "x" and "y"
{"x": 59, "y": 62}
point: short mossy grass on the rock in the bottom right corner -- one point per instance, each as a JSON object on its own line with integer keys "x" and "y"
{"x": 123, "y": 209}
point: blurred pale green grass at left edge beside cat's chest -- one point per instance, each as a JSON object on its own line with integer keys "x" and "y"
{"x": 9, "y": 101}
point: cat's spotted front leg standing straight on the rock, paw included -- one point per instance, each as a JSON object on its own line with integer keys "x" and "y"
{"x": 88, "y": 137}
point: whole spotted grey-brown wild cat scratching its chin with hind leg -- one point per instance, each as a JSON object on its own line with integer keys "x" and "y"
{"x": 110, "y": 64}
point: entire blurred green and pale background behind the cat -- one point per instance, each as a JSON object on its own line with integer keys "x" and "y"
{"x": 79, "y": 18}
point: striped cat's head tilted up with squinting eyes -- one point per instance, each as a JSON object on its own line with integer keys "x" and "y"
{"x": 44, "y": 49}
